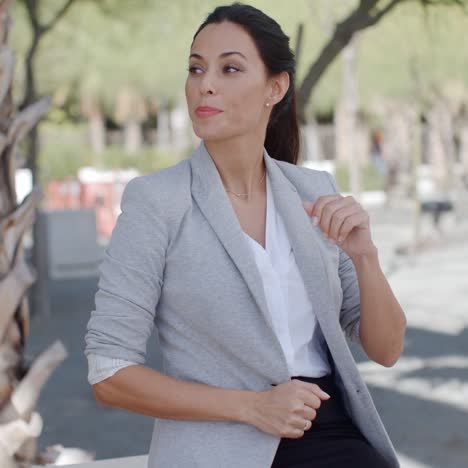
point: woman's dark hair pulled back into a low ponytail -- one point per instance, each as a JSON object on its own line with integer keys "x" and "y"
{"x": 282, "y": 135}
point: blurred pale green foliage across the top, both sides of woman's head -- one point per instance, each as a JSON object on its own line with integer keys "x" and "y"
{"x": 98, "y": 47}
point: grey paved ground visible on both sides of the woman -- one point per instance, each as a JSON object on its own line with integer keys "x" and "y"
{"x": 423, "y": 399}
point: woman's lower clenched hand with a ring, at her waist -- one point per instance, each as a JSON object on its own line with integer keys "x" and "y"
{"x": 284, "y": 409}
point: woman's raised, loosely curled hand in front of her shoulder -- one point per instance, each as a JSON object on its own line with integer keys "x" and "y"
{"x": 343, "y": 221}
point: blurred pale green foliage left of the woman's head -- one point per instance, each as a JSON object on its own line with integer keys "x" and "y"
{"x": 99, "y": 47}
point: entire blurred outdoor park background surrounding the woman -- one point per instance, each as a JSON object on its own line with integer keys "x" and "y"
{"x": 92, "y": 95}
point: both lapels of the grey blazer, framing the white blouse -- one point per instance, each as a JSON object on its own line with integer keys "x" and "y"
{"x": 210, "y": 195}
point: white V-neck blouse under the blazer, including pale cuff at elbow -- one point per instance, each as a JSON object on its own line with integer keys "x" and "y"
{"x": 291, "y": 311}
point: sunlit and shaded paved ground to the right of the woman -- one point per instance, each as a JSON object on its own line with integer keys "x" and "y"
{"x": 423, "y": 399}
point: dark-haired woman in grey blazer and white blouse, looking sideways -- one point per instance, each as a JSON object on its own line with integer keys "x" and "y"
{"x": 254, "y": 271}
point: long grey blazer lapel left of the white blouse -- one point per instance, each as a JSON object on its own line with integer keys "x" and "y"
{"x": 210, "y": 195}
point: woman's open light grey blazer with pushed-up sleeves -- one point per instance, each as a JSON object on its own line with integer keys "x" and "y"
{"x": 178, "y": 259}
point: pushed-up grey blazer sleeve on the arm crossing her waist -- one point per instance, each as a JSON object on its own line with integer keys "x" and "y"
{"x": 130, "y": 280}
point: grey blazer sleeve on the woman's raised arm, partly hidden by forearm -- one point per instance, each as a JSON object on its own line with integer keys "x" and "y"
{"x": 350, "y": 313}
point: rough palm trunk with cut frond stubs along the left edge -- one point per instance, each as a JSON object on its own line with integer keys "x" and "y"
{"x": 20, "y": 382}
